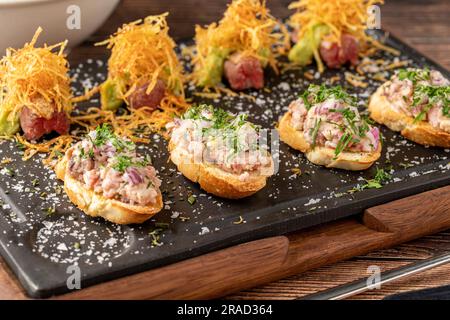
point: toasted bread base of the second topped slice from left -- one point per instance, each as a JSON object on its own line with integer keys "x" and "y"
{"x": 214, "y": 180}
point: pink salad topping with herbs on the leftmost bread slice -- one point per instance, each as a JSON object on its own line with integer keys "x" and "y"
{"x": 110, "y": 165}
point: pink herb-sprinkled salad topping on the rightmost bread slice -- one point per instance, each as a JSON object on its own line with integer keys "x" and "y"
{"x": 422, "y": 94}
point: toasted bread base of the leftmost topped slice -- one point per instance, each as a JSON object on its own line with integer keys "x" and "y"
{"x": 96, "y": 205}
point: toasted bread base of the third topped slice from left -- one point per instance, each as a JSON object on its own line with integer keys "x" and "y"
{"x": 324, "y": 156}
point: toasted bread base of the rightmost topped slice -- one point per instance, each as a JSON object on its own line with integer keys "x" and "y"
{"x": 421, "y": 132}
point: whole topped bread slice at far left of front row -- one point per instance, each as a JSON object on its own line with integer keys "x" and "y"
{"x": 105, "y": 177}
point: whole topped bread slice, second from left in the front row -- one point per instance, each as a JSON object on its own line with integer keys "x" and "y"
{"x": 220, "y": 151}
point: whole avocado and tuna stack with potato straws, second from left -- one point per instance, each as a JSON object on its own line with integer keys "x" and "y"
{"x": 143, "y": 70}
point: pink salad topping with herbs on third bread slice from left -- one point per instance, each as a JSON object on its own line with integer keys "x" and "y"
{"x": 328, "y": 117}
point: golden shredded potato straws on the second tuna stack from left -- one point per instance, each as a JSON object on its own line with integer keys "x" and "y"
{"x": 143, "y": 52}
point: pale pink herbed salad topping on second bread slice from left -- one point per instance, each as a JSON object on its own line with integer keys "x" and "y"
{"x": 214, "y": 136}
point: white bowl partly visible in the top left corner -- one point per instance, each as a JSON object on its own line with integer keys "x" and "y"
{"x": 19, "y": 19}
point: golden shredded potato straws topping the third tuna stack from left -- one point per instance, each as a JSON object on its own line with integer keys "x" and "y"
{"x": 248, "y": 28}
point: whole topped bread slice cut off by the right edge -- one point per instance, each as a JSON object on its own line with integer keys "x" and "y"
{"x": 416, "y": 103}
